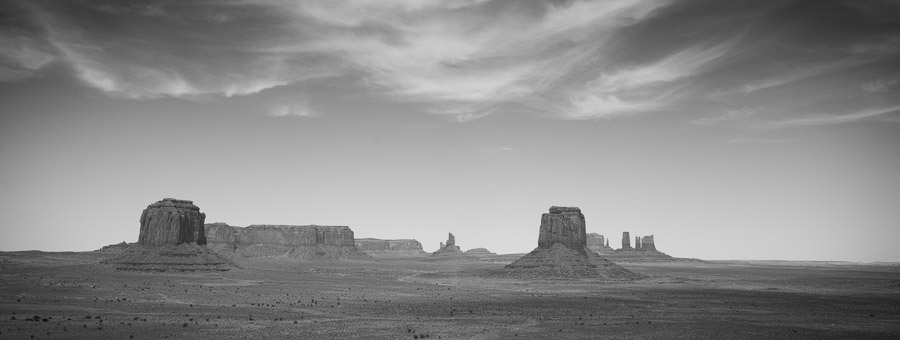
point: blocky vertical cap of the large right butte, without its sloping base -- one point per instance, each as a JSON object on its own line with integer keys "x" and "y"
{"x": 563, "y": 225}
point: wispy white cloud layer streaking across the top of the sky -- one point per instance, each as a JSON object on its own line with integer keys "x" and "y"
{"x": 466, "y": 59}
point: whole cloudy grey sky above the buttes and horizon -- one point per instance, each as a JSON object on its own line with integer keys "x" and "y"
{"x": 755, "y": 130}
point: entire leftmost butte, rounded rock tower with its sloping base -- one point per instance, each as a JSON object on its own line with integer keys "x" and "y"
{"x": 171, "y": 238}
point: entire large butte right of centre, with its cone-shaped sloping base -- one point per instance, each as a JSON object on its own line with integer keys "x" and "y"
{"x": 562, "y": 251}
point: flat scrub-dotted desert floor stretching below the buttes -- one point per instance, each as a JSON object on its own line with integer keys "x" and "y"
{"x": 71, "y": 296}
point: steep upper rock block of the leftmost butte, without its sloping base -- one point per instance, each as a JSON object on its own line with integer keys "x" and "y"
{"x": 172, "y": 221}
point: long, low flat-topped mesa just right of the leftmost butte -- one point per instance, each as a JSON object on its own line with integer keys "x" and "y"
{"x": 295, "y": 241}
